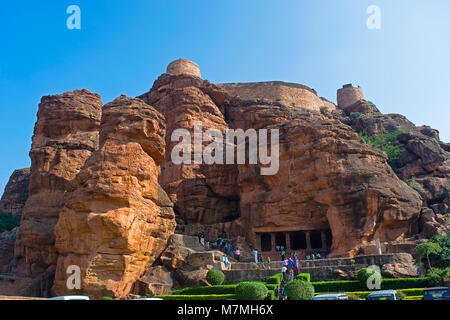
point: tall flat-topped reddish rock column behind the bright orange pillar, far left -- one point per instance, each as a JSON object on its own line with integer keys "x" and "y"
{"x": 65, "y": 135}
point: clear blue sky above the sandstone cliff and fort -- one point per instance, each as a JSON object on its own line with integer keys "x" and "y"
{"x": 123, "y": 46}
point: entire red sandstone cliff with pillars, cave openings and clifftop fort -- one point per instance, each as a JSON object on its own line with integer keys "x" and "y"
{"x": 104, "y": 191}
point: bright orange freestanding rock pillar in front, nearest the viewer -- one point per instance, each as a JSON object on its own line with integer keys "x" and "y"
{"x": 116, "y": 218}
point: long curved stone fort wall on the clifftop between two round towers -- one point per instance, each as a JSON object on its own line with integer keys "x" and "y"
{"x": 290, "y": 94}
